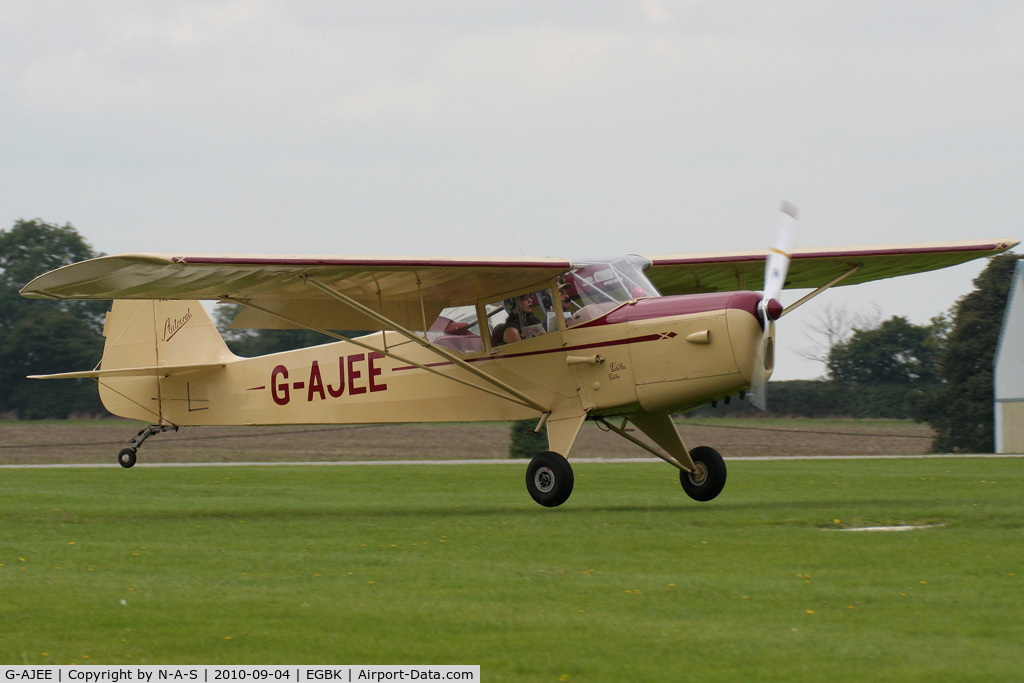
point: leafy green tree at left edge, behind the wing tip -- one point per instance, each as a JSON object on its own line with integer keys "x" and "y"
{"x": 46, "y": 337}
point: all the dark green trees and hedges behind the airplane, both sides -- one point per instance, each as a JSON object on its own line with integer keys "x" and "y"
{"x": 941, "y": 373}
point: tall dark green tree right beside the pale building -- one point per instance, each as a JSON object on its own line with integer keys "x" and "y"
{"x": 961, "y": 410}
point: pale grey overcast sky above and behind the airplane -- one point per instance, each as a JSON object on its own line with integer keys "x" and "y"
{"x": 590, "y": 129}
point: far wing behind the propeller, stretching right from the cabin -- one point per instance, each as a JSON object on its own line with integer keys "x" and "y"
{"x": 727, "y": 272}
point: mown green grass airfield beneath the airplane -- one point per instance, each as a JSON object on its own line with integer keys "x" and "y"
{"x": 629, "y": 581}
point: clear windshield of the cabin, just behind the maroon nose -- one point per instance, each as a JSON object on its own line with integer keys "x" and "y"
{"x": 595, "y": 287}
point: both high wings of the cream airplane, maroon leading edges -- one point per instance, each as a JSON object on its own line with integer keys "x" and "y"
{"x": 412, "y": 292}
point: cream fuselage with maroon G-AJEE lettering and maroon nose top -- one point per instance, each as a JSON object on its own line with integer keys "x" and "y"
{"x": 659, "y": 355}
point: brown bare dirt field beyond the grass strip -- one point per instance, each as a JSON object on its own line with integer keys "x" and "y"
{"x": 99, "y": 442}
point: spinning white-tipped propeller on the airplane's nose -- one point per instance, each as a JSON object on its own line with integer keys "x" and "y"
{"x": 770, "y": 309}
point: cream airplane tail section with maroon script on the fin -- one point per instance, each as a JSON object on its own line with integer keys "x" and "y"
{"x": 153, "y": 348}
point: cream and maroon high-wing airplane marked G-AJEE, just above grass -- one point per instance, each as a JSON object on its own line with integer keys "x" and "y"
{"x": 624, "y": 340}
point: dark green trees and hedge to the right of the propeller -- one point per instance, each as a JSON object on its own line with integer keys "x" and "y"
{"x": 941, "y": 373}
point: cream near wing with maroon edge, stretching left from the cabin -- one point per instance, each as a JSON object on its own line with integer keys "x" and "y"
{"x": 405, "y": 290}
